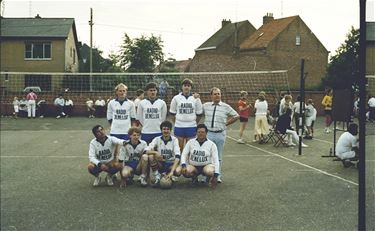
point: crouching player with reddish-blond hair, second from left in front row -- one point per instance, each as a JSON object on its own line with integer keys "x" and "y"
{"x": 133, "y": 156}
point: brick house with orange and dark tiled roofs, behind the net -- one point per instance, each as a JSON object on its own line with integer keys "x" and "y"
{"x": 279, "y": 44}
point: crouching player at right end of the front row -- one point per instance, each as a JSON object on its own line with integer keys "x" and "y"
{"x": 200, "y": 156}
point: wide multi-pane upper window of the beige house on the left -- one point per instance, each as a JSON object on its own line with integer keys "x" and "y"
{"x": 37, "y": 50}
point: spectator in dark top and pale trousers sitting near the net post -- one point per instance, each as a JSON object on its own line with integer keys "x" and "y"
{"x": 283, "y": 126}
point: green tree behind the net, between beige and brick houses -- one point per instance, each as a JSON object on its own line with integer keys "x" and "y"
{"x": 141, "y": 54}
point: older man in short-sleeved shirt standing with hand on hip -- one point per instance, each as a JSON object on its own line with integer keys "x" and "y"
{"x": 218, "y": 115}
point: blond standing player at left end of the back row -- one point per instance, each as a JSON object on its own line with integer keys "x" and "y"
{"x": 121, "y": 113}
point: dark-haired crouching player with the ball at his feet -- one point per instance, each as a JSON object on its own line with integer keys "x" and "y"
{"x": 164, "y": 155}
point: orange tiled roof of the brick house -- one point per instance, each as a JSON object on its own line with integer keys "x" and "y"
{"x": 266, "y": 33}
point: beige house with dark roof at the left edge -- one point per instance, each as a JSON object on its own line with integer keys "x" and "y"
{"x": 37, "y": 45}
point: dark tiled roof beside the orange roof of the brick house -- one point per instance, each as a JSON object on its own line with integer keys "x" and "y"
{"x": 221, "y": 35}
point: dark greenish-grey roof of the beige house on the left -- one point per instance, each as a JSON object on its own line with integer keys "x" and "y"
{"x": 36, "y": 27}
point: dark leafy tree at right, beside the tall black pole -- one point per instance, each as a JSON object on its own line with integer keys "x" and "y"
{"x": 343, "y": 69}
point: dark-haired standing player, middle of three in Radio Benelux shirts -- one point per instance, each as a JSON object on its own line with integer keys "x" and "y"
{"x": 151, "y": 113}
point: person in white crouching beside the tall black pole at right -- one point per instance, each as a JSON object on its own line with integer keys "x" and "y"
{"x": 347, "y": 146}
